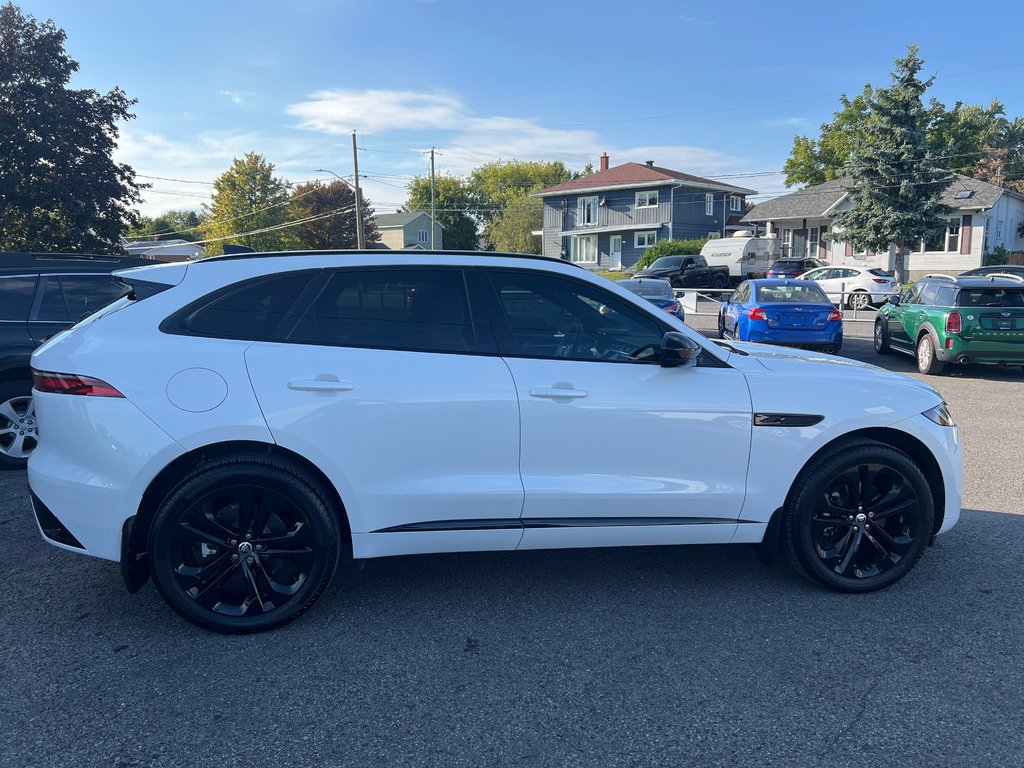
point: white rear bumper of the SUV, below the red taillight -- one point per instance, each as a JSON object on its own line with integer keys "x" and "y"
{"x": 86, "y": 480}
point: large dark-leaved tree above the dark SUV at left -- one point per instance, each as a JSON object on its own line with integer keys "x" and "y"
{"x": 60, "y": 187}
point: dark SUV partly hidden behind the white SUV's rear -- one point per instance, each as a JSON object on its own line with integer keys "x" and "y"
{"x": 41, "y": 294}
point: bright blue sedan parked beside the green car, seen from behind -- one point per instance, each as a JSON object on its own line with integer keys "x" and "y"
{"x": 782, "y": 312}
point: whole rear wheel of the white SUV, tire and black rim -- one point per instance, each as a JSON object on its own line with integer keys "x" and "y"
{"x": 269, "y": 536}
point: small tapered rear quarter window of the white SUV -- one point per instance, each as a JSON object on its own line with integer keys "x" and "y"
{"x": 250, "y": 311}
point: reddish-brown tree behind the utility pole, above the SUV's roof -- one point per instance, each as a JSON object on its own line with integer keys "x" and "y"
{"x": 334, "y": 228}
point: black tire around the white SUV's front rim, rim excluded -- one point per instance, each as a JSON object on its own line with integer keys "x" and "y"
{"x": 813, "y": 487}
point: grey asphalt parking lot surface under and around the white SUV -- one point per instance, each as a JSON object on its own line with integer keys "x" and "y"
{"x": 682, "y": 656}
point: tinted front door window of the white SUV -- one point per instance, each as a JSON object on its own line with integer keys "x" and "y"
{"x": 552, "y": 317}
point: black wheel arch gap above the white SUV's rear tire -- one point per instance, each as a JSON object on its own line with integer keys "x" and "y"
{"x": 136, "y": 543}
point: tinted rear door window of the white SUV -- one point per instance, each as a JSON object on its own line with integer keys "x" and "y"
{"x": 412, "y": 310}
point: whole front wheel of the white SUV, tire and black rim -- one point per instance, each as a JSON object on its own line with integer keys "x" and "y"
{"x": 831, "y": 527}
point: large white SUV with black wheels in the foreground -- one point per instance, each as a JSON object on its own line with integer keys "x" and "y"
{"x": 235, "y": 428}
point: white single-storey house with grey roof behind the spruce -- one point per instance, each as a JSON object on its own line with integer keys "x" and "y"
{"x": 985, "y": 218}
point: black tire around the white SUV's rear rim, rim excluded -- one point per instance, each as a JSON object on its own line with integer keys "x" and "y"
{"x": 308, "y": 497}
